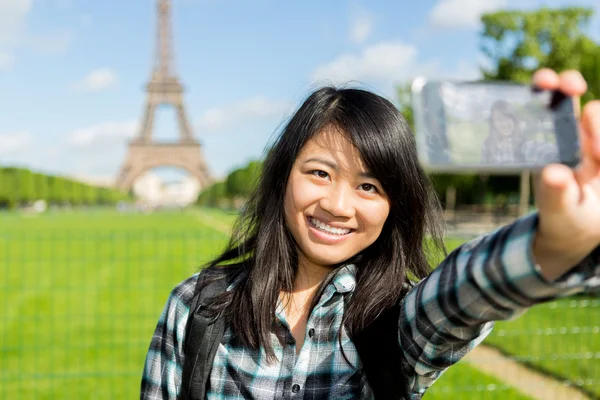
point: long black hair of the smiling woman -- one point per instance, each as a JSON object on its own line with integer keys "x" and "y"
{"x": 265, "y": 247}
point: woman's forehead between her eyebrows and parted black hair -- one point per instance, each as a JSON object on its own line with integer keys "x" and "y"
{"x": 333, "y": 143}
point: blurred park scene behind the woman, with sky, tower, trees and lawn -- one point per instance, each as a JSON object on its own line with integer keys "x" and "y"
{"x": 131, "y": 133}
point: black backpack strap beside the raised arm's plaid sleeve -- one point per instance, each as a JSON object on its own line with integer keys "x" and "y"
{"x": 379, "y": 350}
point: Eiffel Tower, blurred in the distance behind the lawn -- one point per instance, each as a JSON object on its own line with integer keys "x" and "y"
{"x": 163, "y": 88}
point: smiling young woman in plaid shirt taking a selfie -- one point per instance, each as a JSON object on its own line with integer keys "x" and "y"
{"x": 334, "y": 237}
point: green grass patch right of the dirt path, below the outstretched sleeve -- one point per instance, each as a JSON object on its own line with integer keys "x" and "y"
{"x": 560, "y": 338}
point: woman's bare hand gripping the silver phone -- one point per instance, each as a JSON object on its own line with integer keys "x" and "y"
{"x": 569, "y": 199}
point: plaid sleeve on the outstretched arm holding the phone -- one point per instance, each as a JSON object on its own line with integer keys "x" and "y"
{"x": 489, "y": 278}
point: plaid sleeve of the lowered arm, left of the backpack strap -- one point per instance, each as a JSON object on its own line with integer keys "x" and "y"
{"x": 161, "y": 378}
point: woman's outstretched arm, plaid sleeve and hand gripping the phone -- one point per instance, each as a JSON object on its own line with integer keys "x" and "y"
{"x": 546, "y": 255}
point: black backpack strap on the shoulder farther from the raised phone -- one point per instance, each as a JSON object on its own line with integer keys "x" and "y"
{"x": 203, "y": 335}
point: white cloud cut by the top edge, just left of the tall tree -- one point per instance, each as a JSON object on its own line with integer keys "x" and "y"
{"x": 462, "y": 13}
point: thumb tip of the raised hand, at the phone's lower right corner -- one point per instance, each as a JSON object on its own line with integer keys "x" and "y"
{"x": 557, "y": 188}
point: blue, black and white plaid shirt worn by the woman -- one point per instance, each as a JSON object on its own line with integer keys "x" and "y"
{"x": 443, "y": 317}
